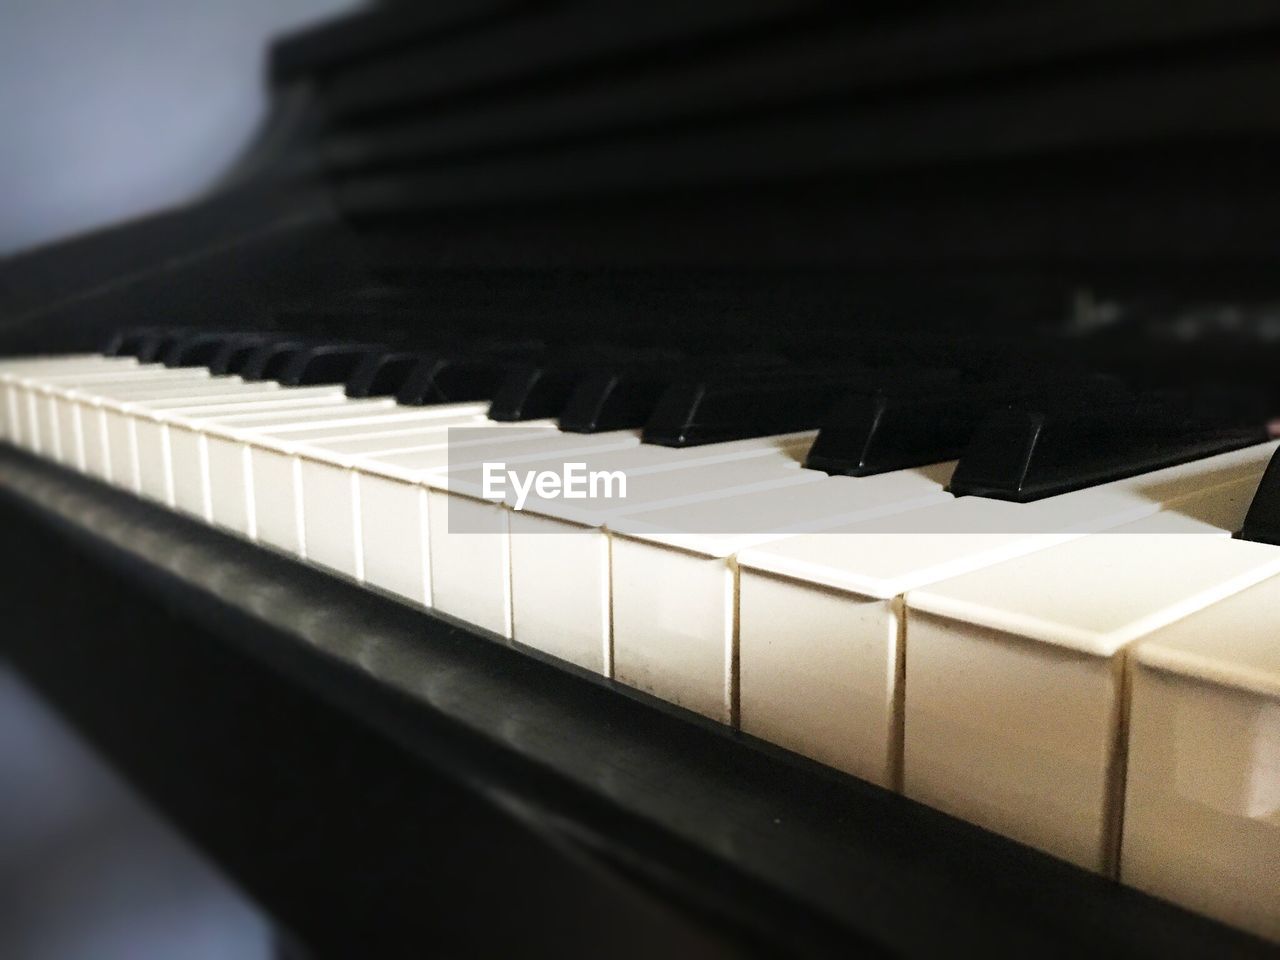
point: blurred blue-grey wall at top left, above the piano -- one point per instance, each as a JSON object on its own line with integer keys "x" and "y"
{"x": 109, "y": 108}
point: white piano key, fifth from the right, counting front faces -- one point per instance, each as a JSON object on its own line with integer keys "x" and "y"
{"x": 560, "y": 552}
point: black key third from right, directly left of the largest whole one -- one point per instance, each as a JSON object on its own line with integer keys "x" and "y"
{"x": 927, "y": 422}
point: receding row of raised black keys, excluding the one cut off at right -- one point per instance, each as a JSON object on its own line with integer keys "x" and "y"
{"x": 1017, "y": 437}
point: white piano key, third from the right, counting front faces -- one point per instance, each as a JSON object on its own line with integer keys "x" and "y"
{"x": 821, "y": 624}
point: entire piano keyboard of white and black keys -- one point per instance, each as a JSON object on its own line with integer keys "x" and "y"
{"x": 1073, "y": 652}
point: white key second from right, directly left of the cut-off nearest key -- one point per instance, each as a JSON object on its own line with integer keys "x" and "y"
{"x": 1016, "y": 674}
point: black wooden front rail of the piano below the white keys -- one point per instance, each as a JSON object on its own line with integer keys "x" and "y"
{"x": 196, "y": 664}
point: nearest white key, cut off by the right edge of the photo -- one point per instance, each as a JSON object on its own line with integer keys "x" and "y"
{"x": 1203, "y": 797}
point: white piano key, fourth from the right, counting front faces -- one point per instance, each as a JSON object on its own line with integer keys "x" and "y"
{"x": 675, "y": 580}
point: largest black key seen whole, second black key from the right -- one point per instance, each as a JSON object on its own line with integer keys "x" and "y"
{"x": 1027, "y": 455}
